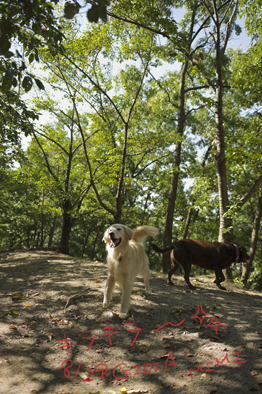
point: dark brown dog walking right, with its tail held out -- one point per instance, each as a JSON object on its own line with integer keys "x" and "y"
{"x": 214, "y": 256}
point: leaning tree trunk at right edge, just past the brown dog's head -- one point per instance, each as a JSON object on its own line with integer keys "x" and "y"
{"x": 246, "y": 267}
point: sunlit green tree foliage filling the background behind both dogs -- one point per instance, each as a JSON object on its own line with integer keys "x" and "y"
{"x": 105, "y": 91}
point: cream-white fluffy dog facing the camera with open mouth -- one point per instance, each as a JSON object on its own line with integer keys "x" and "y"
{"x": 126, "y": 259}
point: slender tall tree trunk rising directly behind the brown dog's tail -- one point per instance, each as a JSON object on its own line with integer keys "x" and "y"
{"x": 176, "y": 167}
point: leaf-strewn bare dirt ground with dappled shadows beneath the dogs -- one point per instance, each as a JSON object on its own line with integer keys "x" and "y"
{"x": 48, "y": 301}
